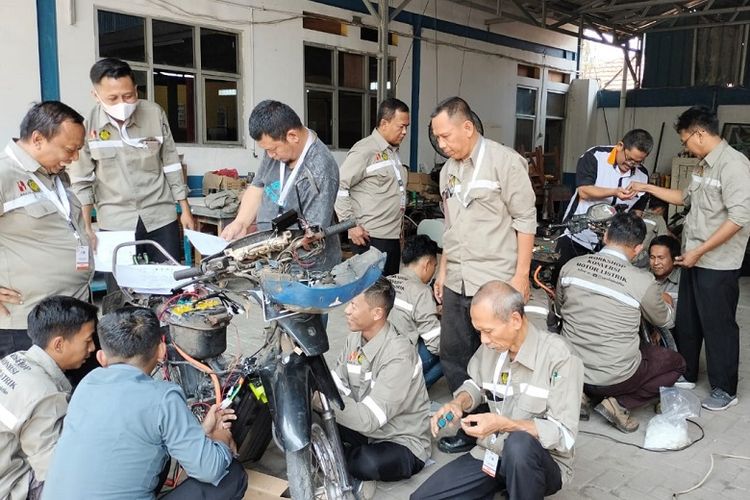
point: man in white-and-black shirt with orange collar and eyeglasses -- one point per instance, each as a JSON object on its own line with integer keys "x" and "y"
{"x": 603, "y": 175}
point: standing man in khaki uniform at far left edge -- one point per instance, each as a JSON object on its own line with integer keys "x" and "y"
{"x": 43, "y": 245}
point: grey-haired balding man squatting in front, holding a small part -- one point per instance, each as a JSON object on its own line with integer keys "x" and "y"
{"x": 532, "y": 383}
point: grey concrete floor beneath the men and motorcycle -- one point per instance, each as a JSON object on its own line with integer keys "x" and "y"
{"x": 604, "y": 469}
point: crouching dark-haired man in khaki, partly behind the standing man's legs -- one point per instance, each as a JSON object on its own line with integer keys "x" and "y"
{"x": 414, "y": 312}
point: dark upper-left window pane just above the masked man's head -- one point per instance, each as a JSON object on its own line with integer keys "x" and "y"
{"x": 121, "y": 36}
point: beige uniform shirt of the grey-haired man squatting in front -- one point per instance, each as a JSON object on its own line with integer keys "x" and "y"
{"x": 542, "y": 384}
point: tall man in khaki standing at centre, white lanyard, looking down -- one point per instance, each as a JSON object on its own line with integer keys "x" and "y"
{"x": 490, "y": 221}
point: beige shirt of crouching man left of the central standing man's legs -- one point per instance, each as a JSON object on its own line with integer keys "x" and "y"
{"x": 414, "y": 312}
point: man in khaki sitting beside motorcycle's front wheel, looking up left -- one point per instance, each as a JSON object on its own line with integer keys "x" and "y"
{"x": 385, "y": 421}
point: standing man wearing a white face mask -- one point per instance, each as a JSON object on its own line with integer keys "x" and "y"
{"x": 129, "y": 168}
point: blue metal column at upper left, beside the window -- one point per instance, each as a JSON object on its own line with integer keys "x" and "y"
{"x": 46, "y": 21}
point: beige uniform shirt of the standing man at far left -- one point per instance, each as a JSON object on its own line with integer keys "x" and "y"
{"x": 37, "y": 244}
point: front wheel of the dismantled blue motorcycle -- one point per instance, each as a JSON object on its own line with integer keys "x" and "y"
{"x": 315, "y": 472}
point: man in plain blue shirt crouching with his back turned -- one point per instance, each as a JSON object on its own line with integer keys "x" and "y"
{"x": 122, "y": 427}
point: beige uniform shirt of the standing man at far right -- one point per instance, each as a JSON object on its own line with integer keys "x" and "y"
{"x": 719, "y": 191}
